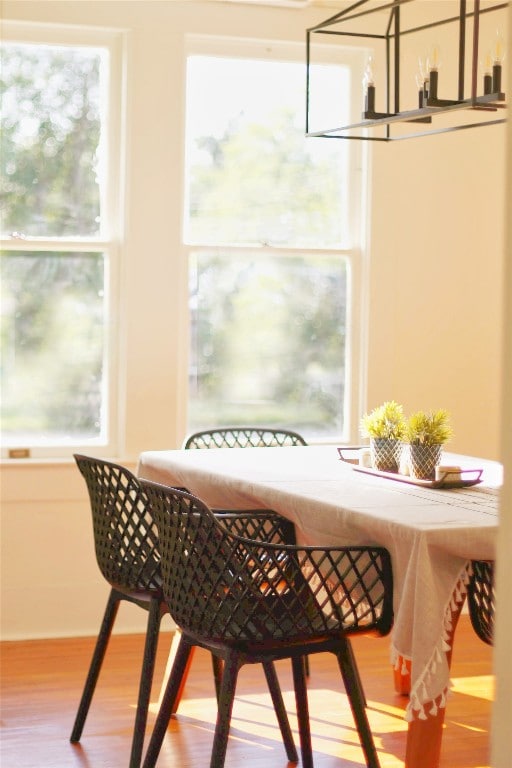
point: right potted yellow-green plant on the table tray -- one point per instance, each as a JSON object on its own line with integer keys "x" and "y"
{"x": 426, "y": 433}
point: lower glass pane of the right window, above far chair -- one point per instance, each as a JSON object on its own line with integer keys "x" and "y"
{"x": 268, "y": 340}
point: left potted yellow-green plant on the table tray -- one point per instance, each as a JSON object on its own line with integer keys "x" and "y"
{"x": 385, "y": 426}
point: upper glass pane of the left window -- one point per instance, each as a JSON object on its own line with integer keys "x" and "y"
{"x": 50, "y": 150}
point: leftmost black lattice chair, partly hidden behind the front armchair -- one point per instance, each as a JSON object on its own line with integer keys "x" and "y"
{"x": 126, "y": 546}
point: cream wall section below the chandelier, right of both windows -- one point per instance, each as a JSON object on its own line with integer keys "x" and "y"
{"x": 436, "y": 255}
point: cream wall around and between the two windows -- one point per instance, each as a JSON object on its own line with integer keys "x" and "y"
{"x": 436, "y": 244}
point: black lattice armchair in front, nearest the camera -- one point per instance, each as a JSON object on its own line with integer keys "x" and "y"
{"x": 250, "y": 601}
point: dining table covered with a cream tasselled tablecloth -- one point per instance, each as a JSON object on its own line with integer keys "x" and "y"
{"x": 431, "y": 531}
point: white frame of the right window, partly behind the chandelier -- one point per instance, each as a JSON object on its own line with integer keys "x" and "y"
{"x": 356, "y": 254}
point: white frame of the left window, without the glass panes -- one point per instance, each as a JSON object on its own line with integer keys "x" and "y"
{"x": 107, "y": 242}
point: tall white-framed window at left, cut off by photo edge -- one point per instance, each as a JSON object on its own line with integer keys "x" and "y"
{"x": 58, "y": 253}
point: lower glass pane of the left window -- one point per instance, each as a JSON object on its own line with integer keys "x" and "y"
{"x": 52, "y": 347}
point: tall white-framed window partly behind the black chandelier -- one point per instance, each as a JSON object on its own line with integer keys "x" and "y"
{"x": 273, "y": 234}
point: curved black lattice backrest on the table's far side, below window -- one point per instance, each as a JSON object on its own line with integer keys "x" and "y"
{"x": 243, "y": 437}
